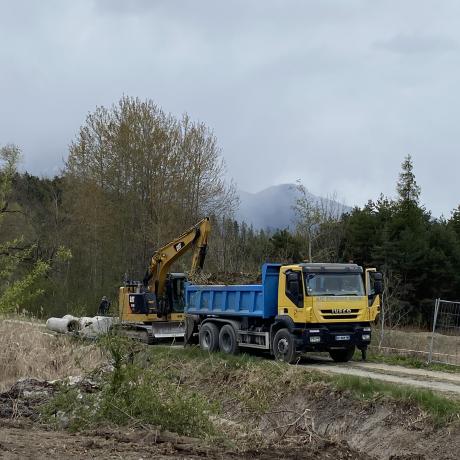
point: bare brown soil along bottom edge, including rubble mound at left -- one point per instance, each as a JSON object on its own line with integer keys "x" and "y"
{"x": 20, "y": 407}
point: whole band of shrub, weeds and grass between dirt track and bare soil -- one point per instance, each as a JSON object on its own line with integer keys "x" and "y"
{"x": 188, "y": 391}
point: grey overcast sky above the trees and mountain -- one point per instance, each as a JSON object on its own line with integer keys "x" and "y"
{"x": 334, "y": 93}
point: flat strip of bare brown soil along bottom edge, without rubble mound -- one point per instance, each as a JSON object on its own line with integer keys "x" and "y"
{"x": 21, "y": 439}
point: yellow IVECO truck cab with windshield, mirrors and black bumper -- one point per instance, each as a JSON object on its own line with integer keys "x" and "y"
{"x": 328, "y": 307}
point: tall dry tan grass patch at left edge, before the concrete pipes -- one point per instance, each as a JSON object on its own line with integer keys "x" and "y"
{"x": 28, "y": 350}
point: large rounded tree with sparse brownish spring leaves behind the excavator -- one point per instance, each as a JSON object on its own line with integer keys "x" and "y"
{"x": 135, "y": 178}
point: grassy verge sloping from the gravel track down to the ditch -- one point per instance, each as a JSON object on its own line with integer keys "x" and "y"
{"x": 254, "y": 383}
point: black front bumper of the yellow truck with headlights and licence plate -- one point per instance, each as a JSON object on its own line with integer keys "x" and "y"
{"x": 321, "y": 337}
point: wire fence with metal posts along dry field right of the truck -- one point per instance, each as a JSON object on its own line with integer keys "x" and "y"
{"x": 440, "y": 343}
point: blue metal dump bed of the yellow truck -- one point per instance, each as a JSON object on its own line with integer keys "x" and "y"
{"x": 255, "y": 300}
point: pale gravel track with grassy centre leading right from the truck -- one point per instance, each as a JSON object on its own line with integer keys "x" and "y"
{"x": 443, "y": 382}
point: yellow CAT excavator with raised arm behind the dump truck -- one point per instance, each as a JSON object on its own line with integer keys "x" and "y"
{"x": 154, "y": 309}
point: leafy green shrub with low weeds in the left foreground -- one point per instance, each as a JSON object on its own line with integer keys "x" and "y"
{"x": 132, "y": 395}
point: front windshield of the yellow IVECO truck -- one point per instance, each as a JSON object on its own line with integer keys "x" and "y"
{"x": 324, "y": 284}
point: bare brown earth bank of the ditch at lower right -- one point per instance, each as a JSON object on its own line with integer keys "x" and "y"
{"x": 381, "y": 428}
